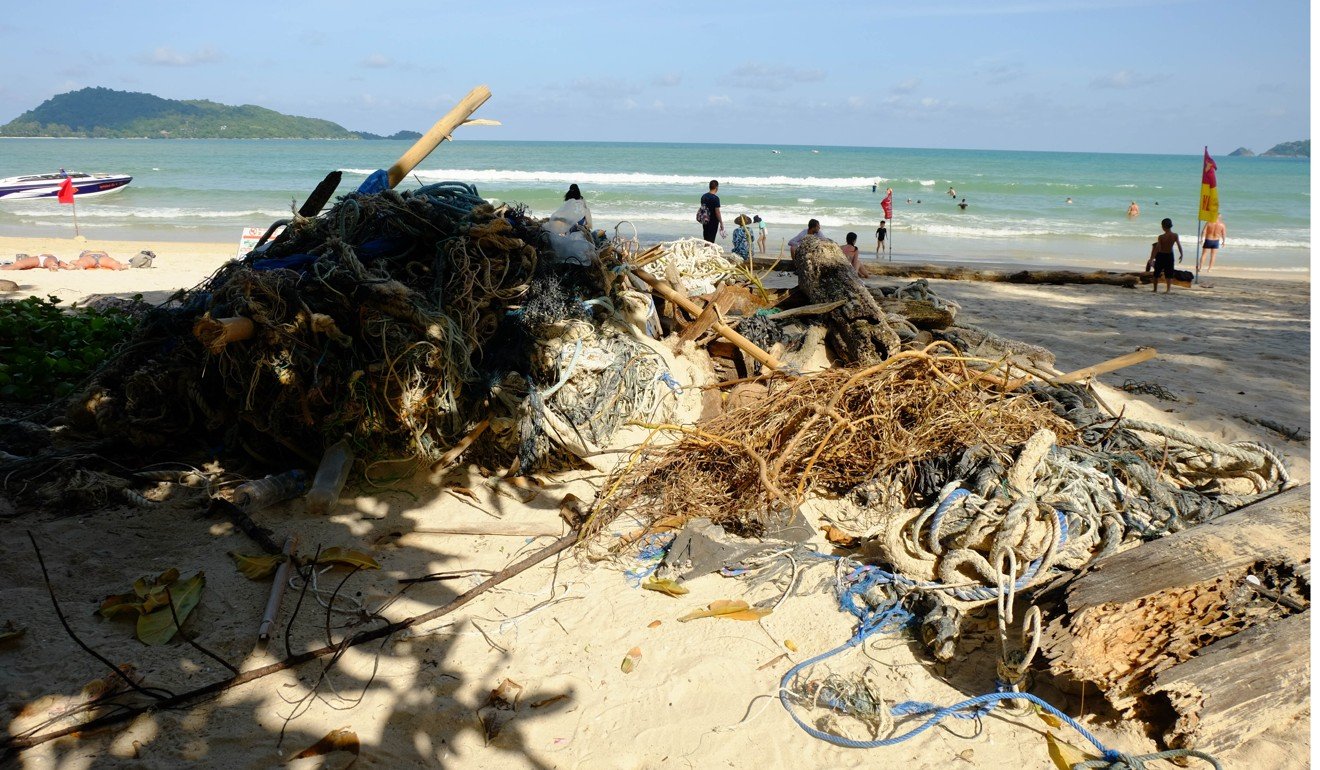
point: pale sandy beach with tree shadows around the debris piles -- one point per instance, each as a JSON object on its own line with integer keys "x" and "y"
{"x": 1234, "y": 361}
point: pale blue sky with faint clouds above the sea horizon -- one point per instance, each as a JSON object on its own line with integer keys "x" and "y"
{"x": 1087, "y": 76}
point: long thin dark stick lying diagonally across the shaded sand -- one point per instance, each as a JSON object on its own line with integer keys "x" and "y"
{"x": 20, "y": 743}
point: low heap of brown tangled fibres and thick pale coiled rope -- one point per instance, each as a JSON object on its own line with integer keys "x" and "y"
{"x": 952, "y": 481}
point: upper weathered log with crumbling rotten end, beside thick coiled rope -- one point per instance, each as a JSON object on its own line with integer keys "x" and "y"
{"x": 1137, "y": 613}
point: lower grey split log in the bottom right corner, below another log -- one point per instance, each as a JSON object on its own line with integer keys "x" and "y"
{"x": 1239, "y": 687}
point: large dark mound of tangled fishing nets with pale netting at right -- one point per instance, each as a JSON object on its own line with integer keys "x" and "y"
{"x": 401, "y": 320}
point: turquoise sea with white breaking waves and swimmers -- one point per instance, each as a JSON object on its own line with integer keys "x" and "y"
{"x": 1017, "y": 201}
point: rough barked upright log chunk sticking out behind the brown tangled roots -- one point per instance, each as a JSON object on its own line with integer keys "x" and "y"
{"x": 857, "y": 330}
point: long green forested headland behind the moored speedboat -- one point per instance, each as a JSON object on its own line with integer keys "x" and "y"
{"x": 105, "y": 113}
